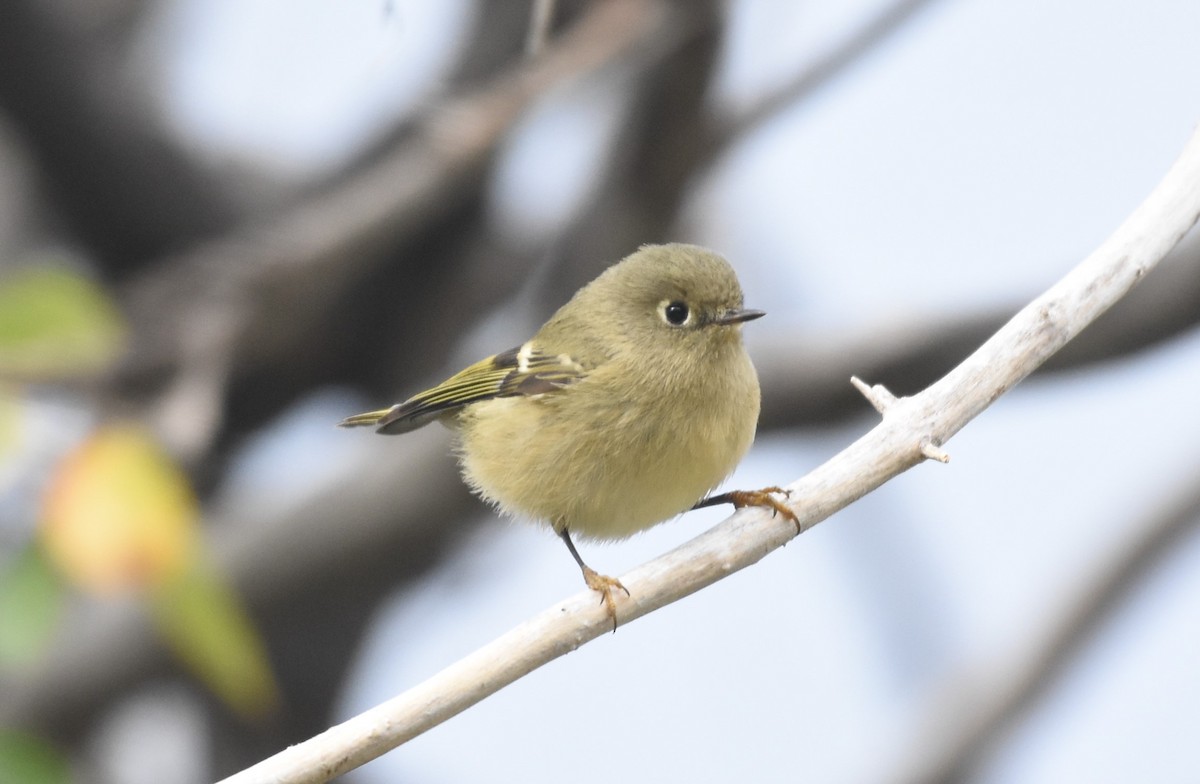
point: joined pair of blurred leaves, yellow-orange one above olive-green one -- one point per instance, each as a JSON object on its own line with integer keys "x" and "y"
{"x": 121, "y": 517}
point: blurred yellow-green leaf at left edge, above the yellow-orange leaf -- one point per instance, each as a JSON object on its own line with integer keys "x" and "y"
{"x": 56, "y": 325}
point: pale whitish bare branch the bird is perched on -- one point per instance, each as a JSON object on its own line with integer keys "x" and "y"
{"x": 913, "y": 430}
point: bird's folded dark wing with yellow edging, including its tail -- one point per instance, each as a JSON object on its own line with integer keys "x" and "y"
{"x": 520, "y": 372}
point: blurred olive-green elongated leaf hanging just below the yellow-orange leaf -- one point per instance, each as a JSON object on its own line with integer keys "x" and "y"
{"x": 207, "y": 627}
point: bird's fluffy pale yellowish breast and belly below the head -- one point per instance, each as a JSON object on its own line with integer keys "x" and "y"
{"x": 607, "y": 459}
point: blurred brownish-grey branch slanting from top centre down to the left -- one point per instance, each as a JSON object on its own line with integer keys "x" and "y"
{"x": 226, "y": 296}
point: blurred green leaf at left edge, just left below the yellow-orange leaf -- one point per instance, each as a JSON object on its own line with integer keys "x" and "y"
{"x": 31, "y": 605}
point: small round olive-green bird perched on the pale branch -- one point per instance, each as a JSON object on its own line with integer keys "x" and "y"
{"x": 632, "y": 404}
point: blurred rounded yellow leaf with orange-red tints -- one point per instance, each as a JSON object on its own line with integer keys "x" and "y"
{"x": 119, "y": 516}
